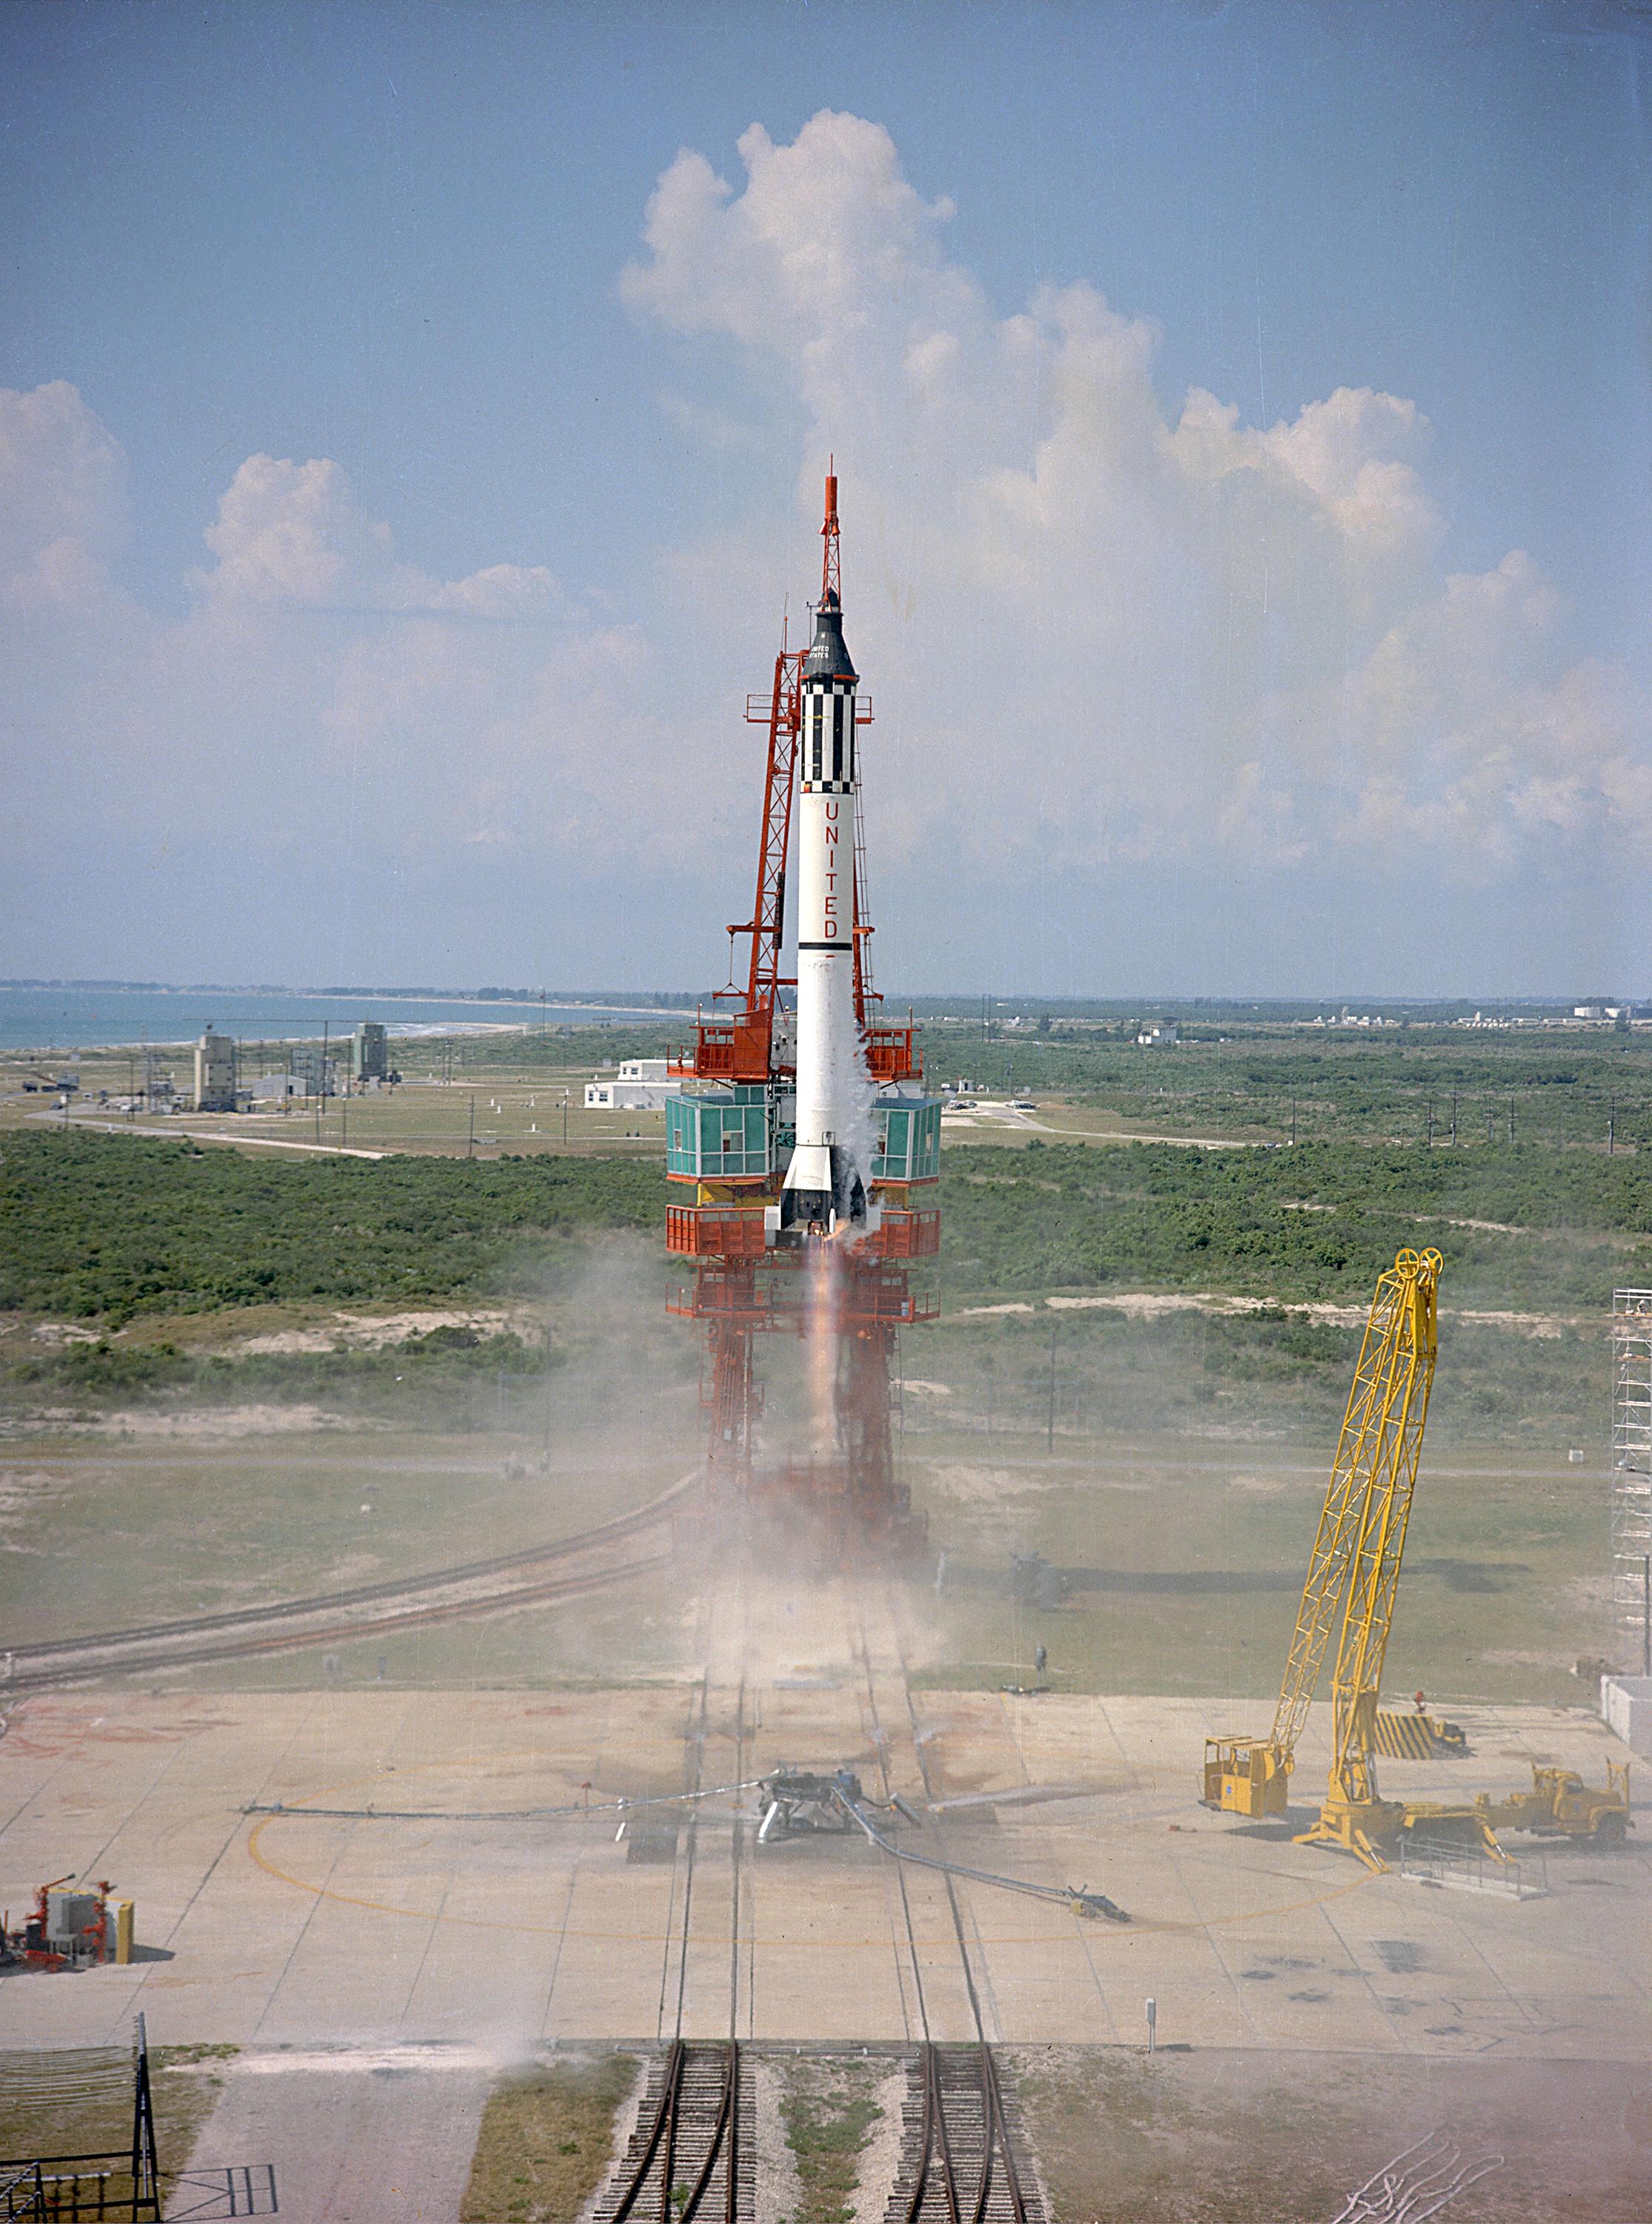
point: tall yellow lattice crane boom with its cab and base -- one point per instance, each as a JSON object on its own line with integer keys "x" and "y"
{"x": 1355, "y": 1567}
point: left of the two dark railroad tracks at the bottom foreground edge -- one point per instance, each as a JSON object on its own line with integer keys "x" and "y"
{"x": 688, "y": 2156}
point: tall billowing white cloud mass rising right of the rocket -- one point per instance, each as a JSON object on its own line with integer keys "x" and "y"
{"x": 1186, "y": 631}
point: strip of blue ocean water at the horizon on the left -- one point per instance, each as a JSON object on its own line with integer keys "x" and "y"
{"x": 77, "y": 1017}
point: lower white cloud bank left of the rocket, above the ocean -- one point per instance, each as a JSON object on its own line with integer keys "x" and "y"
{"x": 317, "y": 688}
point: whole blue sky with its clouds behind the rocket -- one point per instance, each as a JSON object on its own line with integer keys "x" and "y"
{"x": 390, "y": 241}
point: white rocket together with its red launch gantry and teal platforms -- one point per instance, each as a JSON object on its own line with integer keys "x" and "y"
{"x": 806, "y": 1126}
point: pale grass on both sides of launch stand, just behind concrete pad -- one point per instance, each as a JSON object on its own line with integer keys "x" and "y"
{"x": 1175, "y": 1565}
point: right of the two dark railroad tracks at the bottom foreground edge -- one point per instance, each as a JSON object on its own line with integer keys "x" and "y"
{"x": 959, "y": 2145}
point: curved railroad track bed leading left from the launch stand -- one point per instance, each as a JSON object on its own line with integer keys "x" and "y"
{"x": 593, "y": 1560}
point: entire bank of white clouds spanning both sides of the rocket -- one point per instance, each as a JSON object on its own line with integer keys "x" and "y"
{"x": 1111, "y": 631}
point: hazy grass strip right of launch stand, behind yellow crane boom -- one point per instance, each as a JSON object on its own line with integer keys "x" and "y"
{"x": 1177, "y": 1567}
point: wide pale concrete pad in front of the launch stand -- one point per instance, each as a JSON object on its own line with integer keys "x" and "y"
{"x": 452, "y": 1927}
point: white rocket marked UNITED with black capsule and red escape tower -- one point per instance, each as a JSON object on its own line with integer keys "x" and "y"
{"x": 826, "y": 1184}
